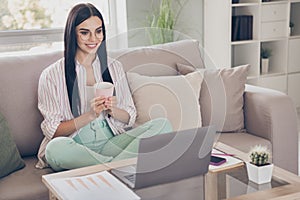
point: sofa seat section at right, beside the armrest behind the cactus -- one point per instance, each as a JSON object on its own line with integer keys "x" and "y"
{"x": 243, "y": 141}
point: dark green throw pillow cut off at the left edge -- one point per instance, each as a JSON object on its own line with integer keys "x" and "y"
{"x": 9, "y": 154}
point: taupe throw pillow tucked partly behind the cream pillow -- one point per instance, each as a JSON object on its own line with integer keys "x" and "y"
{"x": 221, "y": 96}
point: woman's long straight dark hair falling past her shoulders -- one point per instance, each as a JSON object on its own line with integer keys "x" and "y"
{"x": 77, "y": 15}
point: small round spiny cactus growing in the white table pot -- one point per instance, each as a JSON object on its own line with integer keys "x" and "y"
{"x": 259, "y": 155}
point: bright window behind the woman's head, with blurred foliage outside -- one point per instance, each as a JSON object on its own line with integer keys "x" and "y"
{"x": 29, "y": 25}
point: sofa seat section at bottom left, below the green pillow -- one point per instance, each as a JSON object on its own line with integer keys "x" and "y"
{"x": 25, "y": 184}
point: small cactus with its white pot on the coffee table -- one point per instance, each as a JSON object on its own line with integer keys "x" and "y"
{"x": 259, "y": 168}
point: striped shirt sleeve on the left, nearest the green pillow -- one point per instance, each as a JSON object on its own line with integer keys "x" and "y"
{"x": 48, "y": 103}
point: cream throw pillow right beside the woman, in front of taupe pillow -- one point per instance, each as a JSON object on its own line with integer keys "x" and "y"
{"x": 173, "y": 97}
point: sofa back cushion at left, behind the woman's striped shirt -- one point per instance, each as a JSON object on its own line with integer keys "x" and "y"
{"x": 19, "y": 82}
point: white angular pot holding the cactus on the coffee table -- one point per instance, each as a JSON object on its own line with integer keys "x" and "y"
{"x": 259, "y": 175}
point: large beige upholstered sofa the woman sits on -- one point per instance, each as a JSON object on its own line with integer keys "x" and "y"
{"x": 269, "y": 116}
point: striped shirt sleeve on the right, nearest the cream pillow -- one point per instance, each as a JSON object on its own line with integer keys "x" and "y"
{"x": 123, "y": 95}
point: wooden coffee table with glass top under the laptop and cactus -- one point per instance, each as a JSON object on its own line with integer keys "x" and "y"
{"x": 229, "y": 183}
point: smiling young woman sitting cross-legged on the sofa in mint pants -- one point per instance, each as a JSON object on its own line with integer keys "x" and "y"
{"x": 81, "y": 130}
